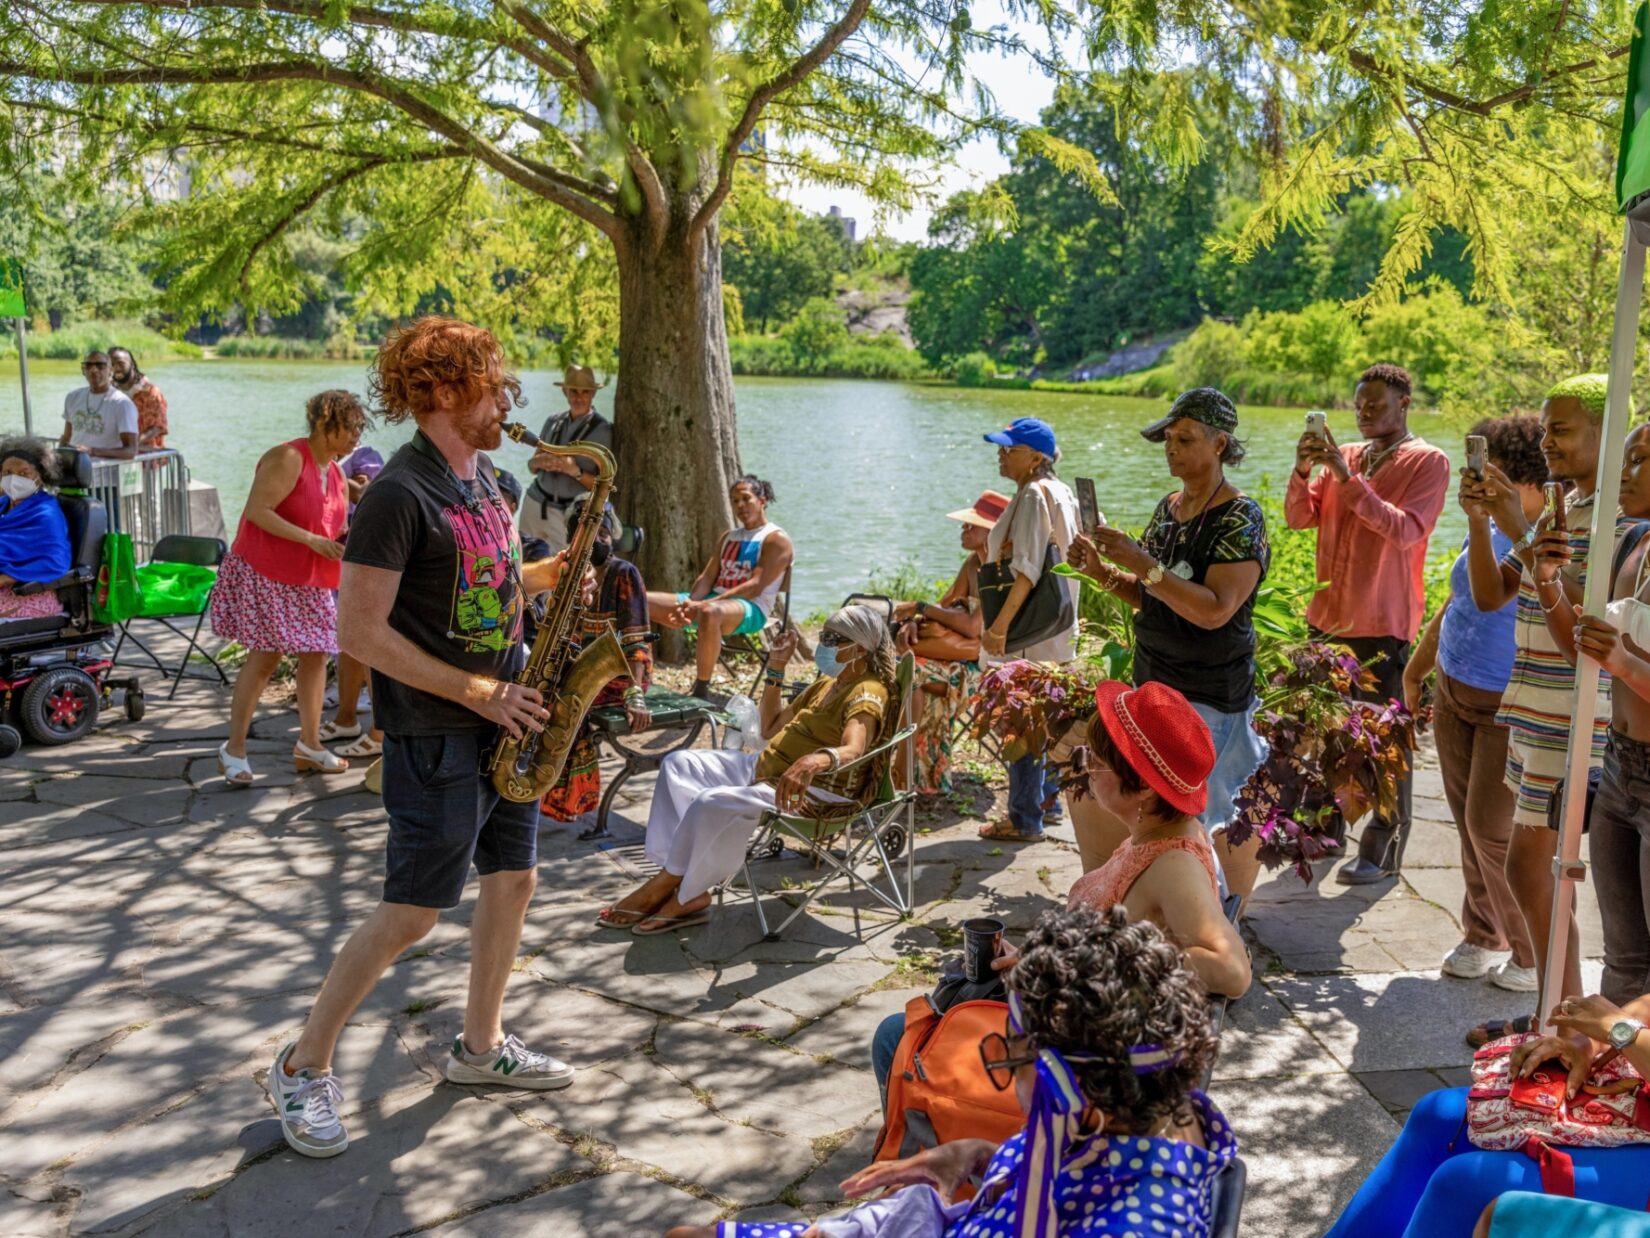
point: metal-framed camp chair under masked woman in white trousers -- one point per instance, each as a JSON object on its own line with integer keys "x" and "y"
{"x": 870, "y": 821}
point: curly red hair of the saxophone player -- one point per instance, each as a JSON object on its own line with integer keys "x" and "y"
{"x": 433, "y": 352}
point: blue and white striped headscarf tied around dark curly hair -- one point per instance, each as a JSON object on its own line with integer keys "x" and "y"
{"x": 1057, "y": 1099}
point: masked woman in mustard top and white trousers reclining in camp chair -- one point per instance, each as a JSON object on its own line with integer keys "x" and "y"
{"x": 707, "y": 801}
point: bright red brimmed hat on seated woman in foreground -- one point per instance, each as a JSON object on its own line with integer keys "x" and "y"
{"x": 1162, "y": 739}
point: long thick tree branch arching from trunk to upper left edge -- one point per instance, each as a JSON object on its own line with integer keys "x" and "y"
{"x": 390, "y": 92}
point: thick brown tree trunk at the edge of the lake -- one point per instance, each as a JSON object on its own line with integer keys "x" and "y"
{"x": 674, "y": 413}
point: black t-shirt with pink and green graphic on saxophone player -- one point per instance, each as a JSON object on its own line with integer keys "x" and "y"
{"x": 460, "y": 600}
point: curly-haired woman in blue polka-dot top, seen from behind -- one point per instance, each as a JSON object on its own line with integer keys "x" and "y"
{"x": 1106, "y": 1037}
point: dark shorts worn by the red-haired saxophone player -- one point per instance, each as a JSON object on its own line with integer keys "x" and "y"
{"x": 445, "y": 815}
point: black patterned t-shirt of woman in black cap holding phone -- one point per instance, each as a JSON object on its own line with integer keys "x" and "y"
{"x": 1209, "y": 666}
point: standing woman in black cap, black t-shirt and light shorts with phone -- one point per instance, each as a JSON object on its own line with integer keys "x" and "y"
{"x": 1192, "y": 582}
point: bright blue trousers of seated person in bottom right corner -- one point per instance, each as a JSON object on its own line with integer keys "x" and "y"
{"x": 1435, "y": 1183}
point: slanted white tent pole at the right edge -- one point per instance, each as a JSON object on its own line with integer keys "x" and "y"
{"x": 1568, "y": 866}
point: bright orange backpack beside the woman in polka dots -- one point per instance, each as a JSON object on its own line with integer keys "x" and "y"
{"x": 938, "y": 1089}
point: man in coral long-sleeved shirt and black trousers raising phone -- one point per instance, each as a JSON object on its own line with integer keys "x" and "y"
{"x": 1375, "y": 506}
